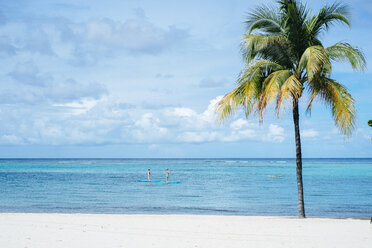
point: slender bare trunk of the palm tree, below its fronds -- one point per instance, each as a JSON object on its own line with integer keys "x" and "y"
{"x": 300, "y": 190}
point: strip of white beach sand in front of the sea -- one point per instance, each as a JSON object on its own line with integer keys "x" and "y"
{"x": 177, "y": 231}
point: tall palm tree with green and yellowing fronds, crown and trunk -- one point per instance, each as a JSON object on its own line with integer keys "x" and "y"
{"x": 285, "y": 58}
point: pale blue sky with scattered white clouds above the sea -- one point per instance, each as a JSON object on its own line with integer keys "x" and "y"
{"x": 140, "y": 79}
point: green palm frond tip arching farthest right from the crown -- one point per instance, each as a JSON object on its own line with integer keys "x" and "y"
{"x": 345, "y": 52}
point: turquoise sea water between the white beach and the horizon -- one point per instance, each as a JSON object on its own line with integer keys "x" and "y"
{"x": 333, "y": 187}
